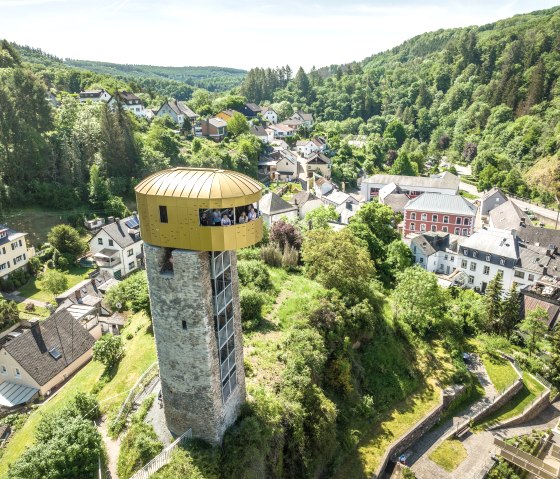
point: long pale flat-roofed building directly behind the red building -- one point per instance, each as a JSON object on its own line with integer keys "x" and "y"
{"x": 412, "y": 186}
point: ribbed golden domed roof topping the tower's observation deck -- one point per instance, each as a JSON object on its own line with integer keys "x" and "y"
{"x": 198, "y": 183}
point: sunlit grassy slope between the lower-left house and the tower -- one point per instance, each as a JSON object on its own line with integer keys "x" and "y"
{"x": 140, "y": 353}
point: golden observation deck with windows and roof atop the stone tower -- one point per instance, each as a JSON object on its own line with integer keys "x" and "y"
{"x": 199, "y": 209}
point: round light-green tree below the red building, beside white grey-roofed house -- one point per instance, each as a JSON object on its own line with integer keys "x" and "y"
{"x": 419, "y": 301}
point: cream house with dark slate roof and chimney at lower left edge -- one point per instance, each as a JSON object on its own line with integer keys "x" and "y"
{"x": 35, "y": 360}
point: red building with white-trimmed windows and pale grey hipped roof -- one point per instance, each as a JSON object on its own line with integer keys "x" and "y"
{"x": 437, "y": 212}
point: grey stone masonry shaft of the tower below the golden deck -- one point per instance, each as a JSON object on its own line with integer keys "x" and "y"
{"x": 188, "y": 358}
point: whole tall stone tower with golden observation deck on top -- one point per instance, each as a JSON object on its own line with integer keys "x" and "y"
{"x": 192, "y": 221}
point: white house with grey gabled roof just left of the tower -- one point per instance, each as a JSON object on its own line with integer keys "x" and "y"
{"x": 117, "y": 246}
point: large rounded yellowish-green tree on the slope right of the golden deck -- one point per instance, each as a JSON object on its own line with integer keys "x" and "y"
{"x": 339, "y": 261}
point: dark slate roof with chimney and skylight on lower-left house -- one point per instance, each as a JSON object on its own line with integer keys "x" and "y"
{"x": 60, "y": 331}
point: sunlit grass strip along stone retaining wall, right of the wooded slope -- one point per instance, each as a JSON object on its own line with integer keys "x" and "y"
{"x": 393, "y": 424}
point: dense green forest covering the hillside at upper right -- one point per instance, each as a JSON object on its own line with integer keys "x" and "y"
{"x": 488, "y": 96}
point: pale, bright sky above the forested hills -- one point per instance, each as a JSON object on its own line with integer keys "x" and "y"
{"x": 238, "y": 33}
